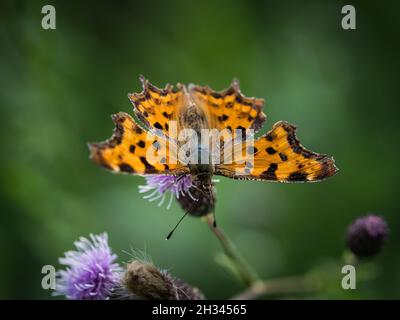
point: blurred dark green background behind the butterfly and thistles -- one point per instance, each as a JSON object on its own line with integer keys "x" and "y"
{"x": 59, "y": 87}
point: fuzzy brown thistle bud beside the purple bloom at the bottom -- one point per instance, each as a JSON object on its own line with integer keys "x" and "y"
{"x": 144, "y": 281}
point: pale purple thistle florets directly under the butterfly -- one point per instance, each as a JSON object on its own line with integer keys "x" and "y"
{"x": 158, "y": 186}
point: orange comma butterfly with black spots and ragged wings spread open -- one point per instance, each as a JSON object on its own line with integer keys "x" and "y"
{"x": 275, "y": 156}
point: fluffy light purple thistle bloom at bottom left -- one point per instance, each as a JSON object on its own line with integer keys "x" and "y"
{"x": 91, "y": 272}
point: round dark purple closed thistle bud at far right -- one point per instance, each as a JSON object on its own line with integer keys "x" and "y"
{"x": 366, "y": 235}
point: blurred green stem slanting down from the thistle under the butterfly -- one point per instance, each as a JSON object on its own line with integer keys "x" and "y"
{"x": 246, "y": 273}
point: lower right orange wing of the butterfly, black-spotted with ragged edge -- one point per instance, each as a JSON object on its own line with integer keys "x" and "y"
{"x": 278, "y": 156}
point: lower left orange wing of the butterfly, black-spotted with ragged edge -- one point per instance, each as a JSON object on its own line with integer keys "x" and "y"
{"x": 127, "y": 150}
